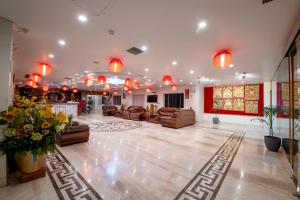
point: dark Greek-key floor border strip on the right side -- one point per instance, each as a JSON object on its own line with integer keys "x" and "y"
{"x": 207, "y": 182}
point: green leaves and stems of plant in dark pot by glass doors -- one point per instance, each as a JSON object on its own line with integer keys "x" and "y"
{"x": 268, "y": 118}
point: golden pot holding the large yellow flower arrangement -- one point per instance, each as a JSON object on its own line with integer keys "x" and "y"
{"x": 29, "y": 163}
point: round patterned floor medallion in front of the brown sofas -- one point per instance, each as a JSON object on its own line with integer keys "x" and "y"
{"x": 114, "y": 126}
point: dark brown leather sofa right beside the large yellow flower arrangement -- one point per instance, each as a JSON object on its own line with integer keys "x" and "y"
{"x": 73, "y": 134}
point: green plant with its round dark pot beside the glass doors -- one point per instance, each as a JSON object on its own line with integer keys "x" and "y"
{"x": 272, "y": 142}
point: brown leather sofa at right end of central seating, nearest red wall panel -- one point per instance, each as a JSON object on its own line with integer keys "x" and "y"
{"x": 179, "y": 118}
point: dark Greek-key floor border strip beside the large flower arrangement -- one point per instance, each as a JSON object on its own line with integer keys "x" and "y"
{"x": 67, "y": 182}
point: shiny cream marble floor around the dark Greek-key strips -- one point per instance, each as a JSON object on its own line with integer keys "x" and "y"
{"x": 152, "y": 162}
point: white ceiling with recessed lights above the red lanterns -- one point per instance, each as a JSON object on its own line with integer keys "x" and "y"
{"x": 256, "y": 34}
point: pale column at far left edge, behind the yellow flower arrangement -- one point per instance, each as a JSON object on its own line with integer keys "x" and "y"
{"x": 5, "y": 81}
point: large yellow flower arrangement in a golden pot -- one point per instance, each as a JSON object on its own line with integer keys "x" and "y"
{"x": 30, "y": 133}
